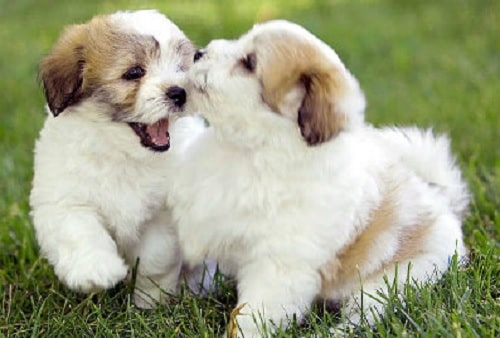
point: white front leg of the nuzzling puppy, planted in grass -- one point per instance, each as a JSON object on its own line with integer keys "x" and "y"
{"x": 270, "y": 295}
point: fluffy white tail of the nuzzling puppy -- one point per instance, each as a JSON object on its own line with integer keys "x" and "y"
{"x": 430, "y": 157}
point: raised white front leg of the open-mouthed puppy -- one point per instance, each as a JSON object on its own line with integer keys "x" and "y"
{"x": 82, "y": 252}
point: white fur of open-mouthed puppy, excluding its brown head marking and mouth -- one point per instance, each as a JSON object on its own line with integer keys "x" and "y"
{"x": 99, "y": 197}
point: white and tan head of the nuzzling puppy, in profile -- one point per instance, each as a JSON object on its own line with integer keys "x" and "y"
{"x": 281, "y": 68}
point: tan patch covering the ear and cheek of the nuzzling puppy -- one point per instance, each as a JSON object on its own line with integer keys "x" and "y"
{"x": 285, "y": 60}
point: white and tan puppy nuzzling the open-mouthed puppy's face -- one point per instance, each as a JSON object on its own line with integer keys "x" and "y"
{"x": 296, "y": 195}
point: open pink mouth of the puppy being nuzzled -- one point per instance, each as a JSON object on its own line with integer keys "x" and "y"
{"x": 153, "y": 136}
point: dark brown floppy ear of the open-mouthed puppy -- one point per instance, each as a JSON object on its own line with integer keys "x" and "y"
{"x": 61, "y": 72}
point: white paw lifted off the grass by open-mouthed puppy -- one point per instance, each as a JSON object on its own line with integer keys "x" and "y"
{"x": 91, "y": 272}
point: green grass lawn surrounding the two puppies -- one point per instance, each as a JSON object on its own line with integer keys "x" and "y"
{"x": 431, "y": 63}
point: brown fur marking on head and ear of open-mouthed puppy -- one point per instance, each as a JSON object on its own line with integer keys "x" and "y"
{"x": 90, "y": 59}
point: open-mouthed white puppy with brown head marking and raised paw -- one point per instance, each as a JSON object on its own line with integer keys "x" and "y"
{"x": 99, "y": 190}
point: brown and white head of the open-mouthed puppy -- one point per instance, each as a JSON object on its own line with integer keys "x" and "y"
{"x": 120, "y": 68}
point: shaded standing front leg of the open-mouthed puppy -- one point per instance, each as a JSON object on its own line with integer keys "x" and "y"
{"x": 159, "y": 262}
